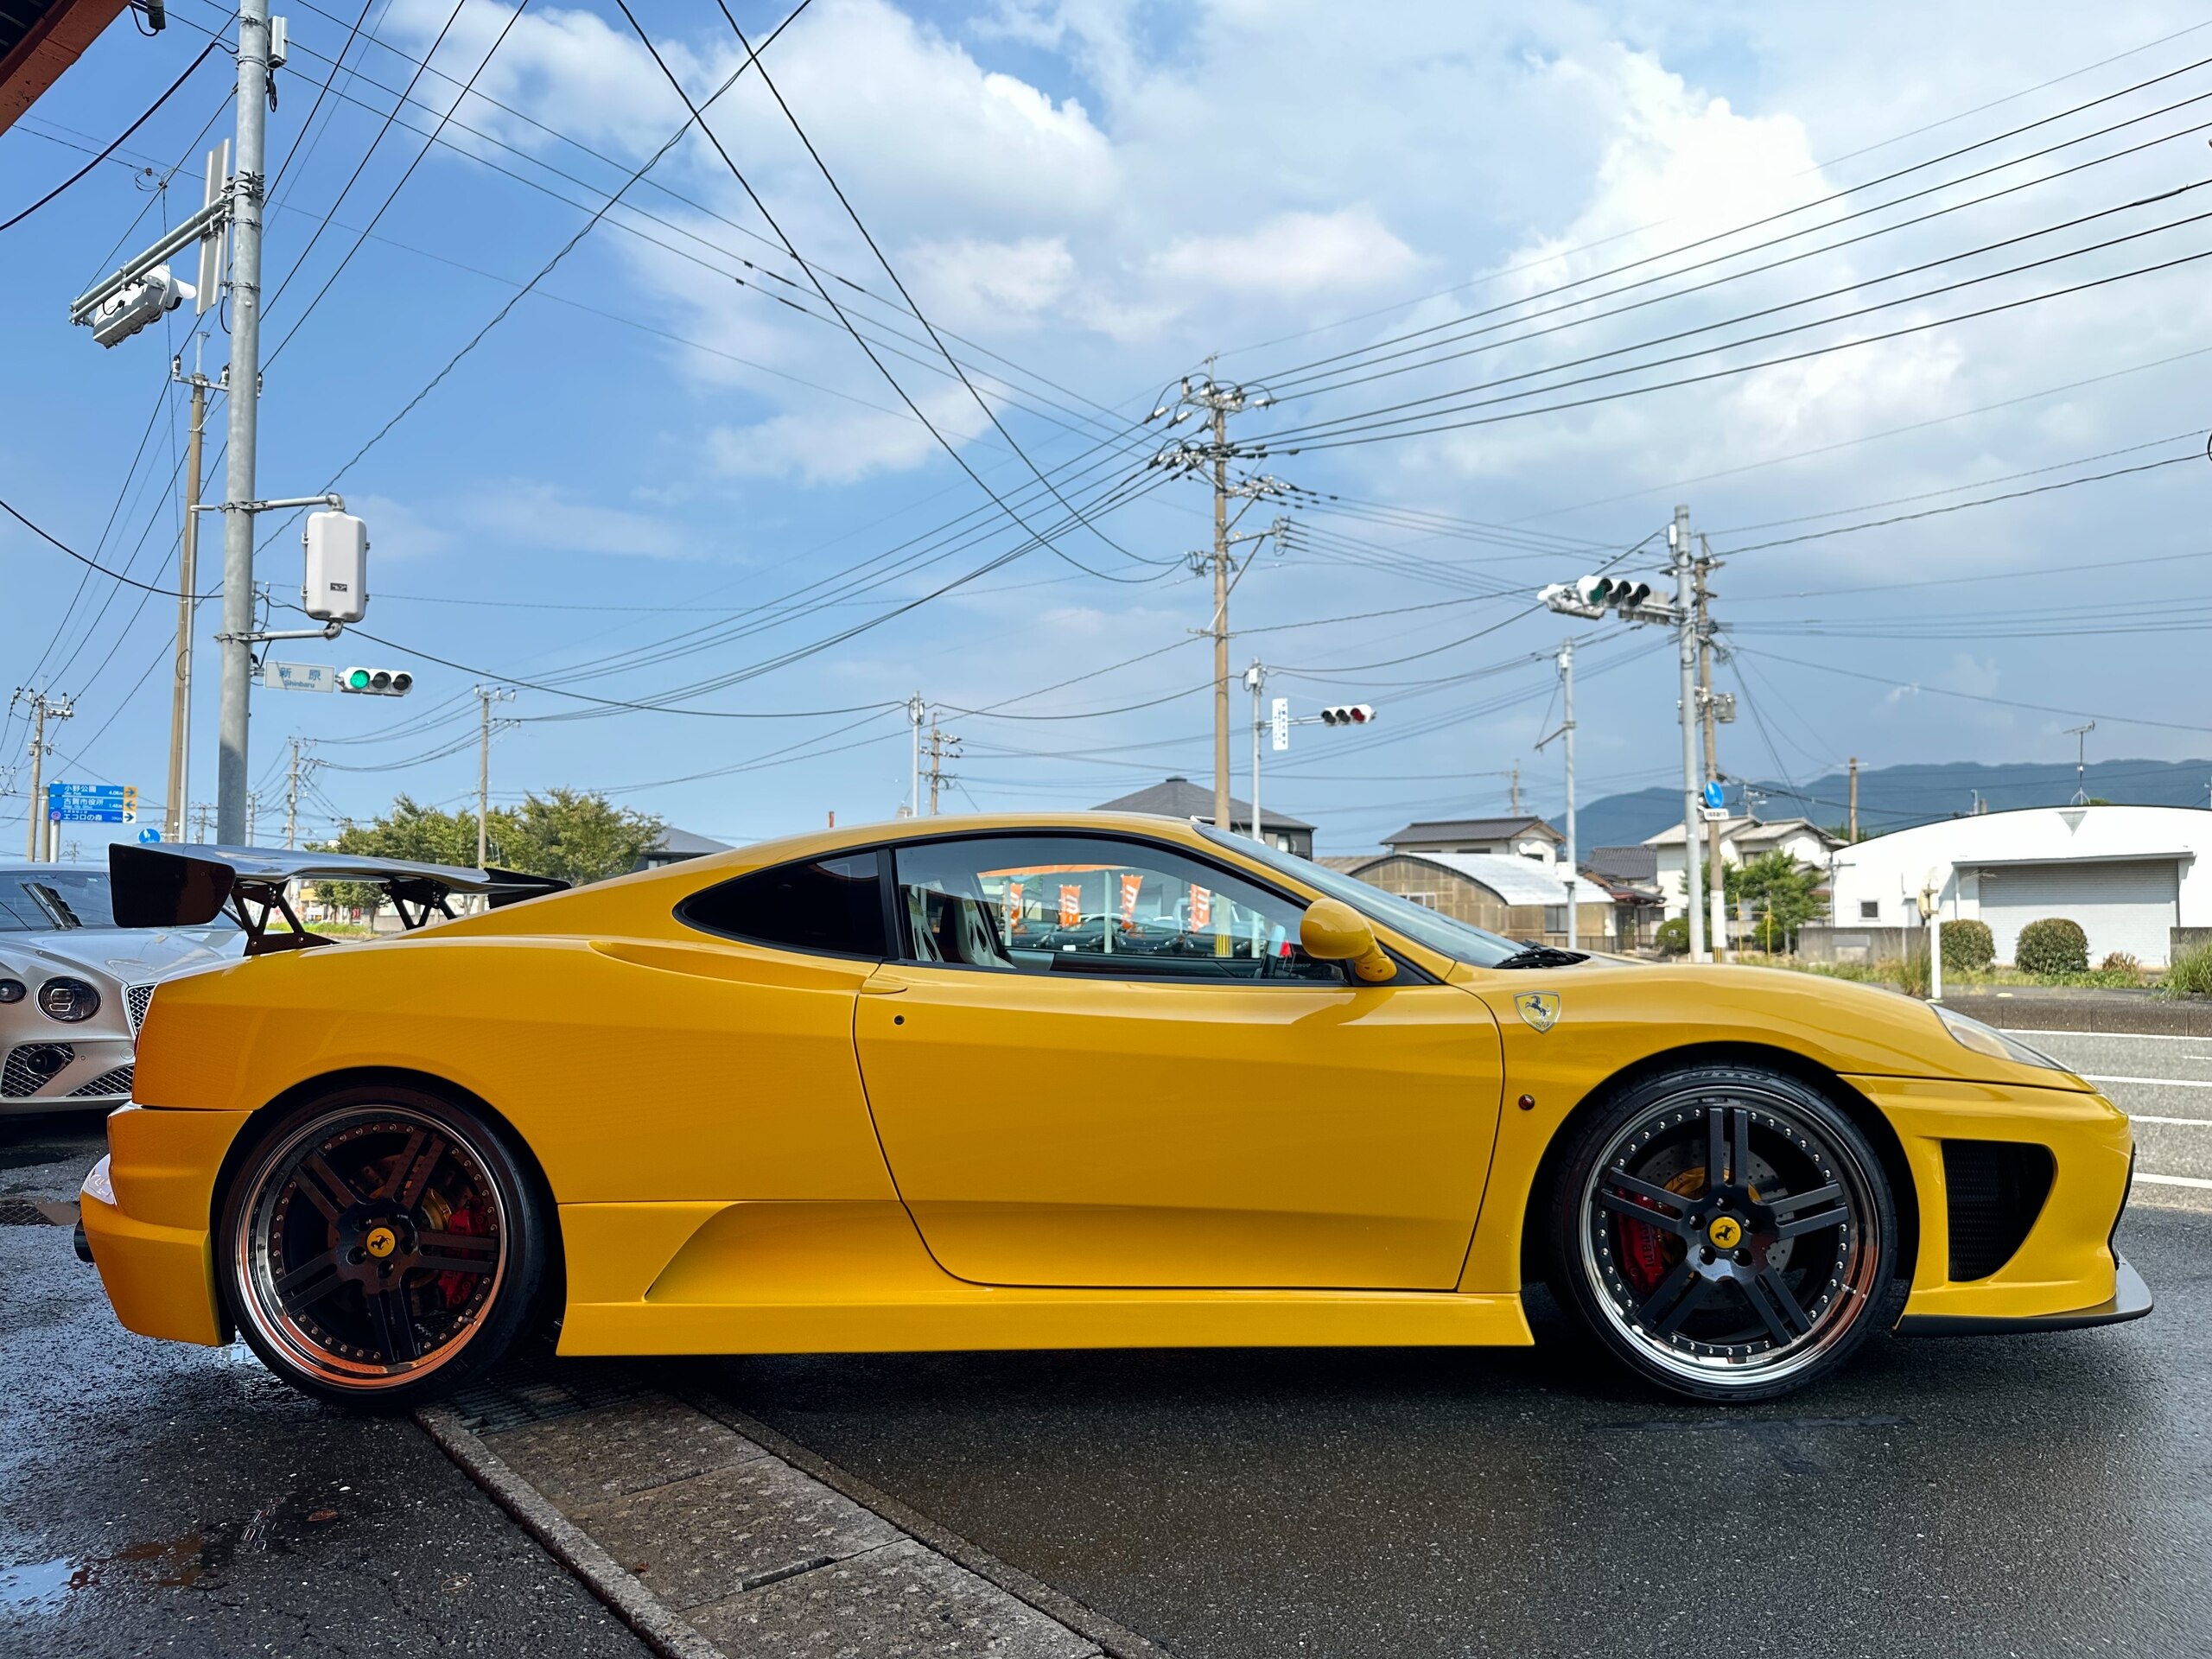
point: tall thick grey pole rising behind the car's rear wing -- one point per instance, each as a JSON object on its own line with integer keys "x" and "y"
{"x": 247, "y": 191}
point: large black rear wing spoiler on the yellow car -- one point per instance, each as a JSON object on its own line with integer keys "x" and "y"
{"x": 163, "y": 886}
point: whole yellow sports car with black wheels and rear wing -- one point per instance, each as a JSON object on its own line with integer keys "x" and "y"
{"x": 1054, "y": 1083}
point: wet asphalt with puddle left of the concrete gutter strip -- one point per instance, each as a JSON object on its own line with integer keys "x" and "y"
{"x": 163, "y": 1499}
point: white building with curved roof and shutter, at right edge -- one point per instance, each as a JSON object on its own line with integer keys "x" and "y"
{"x": 2118, "y": 895}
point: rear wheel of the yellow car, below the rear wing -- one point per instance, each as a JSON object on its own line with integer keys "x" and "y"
{"x": 382, "y": 1246}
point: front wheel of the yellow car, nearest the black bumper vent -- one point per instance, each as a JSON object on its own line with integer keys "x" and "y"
{"x": 1738, "y": 1291}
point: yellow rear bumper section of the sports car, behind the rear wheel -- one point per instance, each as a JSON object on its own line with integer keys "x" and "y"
{"x": 147, "y": 1213}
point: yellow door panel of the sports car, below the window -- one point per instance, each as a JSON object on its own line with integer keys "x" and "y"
{"x": 1156, "y": 1134}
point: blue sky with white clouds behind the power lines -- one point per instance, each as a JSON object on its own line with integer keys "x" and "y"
{"x": 680, "y": 510}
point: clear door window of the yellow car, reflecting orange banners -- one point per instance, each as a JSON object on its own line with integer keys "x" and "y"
{"x": 1094, "y": 906}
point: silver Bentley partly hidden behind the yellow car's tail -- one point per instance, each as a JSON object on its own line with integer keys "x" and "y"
{"x": 74, "y": 985}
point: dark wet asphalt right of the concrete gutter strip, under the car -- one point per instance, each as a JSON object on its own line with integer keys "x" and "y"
{"x": 1994, "y": 1496}
